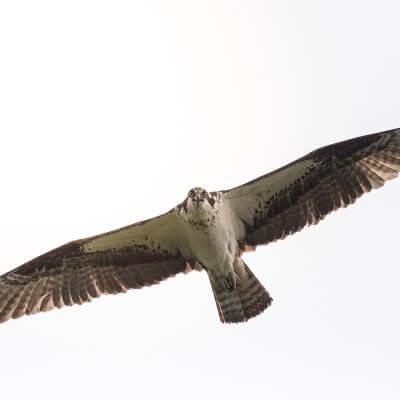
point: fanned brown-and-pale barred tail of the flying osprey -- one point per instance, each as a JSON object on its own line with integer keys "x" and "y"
{"x": 248, "y": 300}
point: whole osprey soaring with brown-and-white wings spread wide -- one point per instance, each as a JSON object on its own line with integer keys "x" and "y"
{"x": 207, "y": 231}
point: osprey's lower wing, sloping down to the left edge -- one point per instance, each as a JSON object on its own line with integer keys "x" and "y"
{"x": 132, "y": 257}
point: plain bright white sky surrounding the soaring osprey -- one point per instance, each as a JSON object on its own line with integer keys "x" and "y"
{"x": 111, "y": 110}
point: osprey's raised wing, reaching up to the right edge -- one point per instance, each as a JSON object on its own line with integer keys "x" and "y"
{"x": 305, "y": 191}
